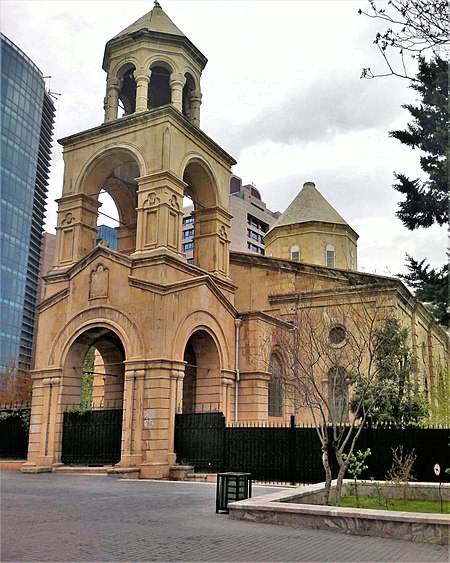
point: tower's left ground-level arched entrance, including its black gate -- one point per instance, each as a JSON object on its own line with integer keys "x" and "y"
{"x": 92, "y": 397}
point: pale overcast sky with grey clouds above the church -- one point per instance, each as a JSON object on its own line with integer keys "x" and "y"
{"x": 281, "y": 93}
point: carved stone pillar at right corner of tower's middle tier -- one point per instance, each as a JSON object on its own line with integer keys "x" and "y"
{"x": 211, "y": 240}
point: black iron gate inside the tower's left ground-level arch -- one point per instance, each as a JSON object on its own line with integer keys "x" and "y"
{"x": 92, "y": 437}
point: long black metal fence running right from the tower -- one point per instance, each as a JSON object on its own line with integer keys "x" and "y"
{"x": 292, "y": 454}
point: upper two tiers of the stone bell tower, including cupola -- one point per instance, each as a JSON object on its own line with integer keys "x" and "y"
{"x": 149, "y": 154}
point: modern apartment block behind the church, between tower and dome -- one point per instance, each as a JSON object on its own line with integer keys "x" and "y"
{"x": 251, "y": 220}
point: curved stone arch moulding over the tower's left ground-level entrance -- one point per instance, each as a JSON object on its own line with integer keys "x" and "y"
{"x": 106, "y": 317}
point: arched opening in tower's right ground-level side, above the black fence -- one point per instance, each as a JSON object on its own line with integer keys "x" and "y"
{"x": 202, "y": 380}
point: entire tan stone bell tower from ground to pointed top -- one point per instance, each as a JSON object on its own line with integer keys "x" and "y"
{"x": 143, "y": 307}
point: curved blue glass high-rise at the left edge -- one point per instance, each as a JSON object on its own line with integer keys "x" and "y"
{"x": 27, "y": 115}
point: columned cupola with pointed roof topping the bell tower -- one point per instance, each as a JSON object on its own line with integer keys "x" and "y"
{"x": 152, "y": 63}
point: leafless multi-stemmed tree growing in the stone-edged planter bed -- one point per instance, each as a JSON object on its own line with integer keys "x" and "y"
{"x": 328, "y": 350}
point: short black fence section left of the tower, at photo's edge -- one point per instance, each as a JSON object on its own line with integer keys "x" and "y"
{"x": 14, "y": 431}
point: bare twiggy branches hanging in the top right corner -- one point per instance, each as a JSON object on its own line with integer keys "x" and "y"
{"x": 414, "y": 27}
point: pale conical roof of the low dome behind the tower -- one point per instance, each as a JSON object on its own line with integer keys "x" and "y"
{"x": 309, "y": 205}
